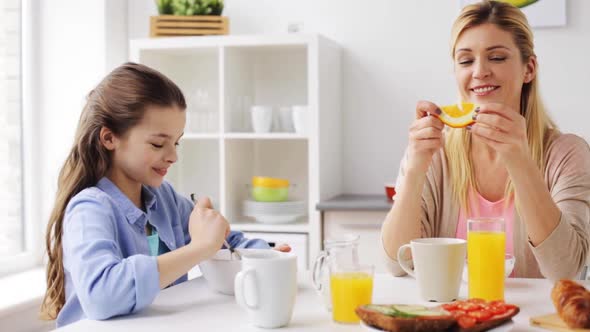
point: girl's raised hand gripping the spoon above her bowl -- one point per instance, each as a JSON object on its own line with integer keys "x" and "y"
{"x": 207, "y": 227}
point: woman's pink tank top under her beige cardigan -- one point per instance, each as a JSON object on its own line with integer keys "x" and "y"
{"x": 482, "y": 208}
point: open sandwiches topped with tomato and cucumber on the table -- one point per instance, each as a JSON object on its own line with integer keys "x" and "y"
{"x": 460, "y": 316}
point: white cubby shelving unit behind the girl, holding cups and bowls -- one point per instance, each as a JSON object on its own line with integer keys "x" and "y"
{"x": 222, "y": 77}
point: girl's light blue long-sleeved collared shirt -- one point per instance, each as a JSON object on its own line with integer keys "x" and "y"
{"x": 107, "y": 262}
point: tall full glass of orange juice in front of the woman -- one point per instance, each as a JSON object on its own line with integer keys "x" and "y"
{"x": 486, "y": 246}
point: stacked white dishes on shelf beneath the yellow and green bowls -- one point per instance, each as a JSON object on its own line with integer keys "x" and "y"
{"x": 275, "y": 212}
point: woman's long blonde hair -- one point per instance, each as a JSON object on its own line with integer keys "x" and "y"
{"x": 538, "y": 123}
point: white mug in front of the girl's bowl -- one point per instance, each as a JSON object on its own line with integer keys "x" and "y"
{"x": 267, "y": 286}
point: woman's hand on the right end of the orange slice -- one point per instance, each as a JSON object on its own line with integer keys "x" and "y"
{"x": 503, "y": 129}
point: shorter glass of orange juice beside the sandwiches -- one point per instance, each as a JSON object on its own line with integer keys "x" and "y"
{"x": 351, "y": 286}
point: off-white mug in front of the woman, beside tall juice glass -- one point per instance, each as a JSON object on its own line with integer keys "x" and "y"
{"x": 438, "y": 265}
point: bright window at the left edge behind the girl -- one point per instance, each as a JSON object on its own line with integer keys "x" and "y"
{"x": 20, "y": 229}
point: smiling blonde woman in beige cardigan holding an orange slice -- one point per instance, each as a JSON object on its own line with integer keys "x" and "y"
{"x": 511, "y": 163}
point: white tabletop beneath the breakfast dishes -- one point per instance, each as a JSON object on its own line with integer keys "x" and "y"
{"x": 192, "y": 307}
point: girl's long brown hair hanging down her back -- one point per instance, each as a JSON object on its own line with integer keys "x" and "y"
{"x": 117, "y": 103}
